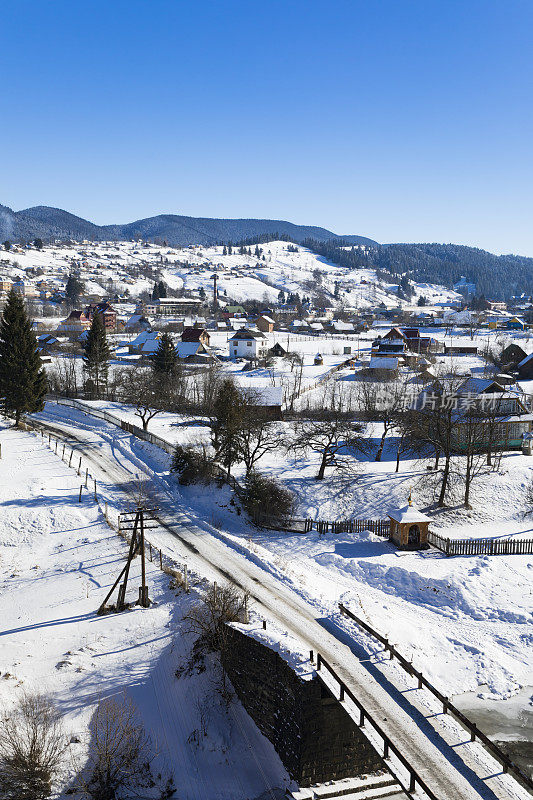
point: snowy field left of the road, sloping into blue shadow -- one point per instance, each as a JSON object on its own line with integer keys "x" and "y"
{"x": 58, "y": 559}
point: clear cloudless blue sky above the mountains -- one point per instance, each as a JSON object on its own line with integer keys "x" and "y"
{"x": 402, "y": 120}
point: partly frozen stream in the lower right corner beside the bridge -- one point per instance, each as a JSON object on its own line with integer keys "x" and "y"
{"x": 508, "y": 722}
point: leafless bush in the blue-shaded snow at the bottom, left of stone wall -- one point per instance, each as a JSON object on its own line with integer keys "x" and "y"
{"x": 120, "y": 756}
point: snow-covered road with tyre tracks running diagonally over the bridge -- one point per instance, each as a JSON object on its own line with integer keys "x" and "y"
{"x": 450, "y": 775}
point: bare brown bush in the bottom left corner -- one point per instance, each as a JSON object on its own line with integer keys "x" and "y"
{"x": 32, "y": 747}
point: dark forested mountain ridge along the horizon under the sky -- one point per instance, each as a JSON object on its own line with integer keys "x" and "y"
{"x": 496, "y": 277}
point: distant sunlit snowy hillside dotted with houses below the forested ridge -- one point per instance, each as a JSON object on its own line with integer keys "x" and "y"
{"x": 121, "y": 266}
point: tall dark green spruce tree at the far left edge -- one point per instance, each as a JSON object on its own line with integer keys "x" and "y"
{"x": 23, "y": 384}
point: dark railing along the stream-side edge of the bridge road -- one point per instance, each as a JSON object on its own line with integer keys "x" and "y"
{"x": 447, "y": 707}
